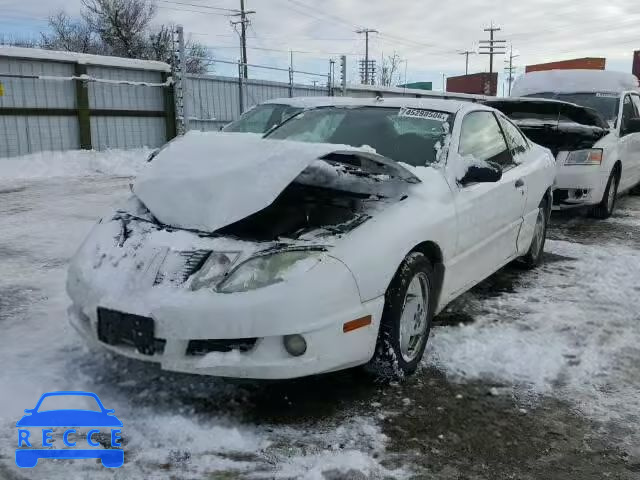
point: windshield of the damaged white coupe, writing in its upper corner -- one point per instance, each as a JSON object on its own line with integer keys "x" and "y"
{"x": 408, "y": 135}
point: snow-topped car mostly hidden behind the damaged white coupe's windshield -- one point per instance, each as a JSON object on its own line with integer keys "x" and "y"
{"x": 267, "y": 115}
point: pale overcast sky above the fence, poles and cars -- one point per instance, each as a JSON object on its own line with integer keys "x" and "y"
{"x": 429, "y": 34}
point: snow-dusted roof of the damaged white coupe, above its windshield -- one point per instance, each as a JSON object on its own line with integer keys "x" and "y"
{"x": 449, "y": 105}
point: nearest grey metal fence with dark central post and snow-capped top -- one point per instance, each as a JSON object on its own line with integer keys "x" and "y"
{"x": 64, "y": 101}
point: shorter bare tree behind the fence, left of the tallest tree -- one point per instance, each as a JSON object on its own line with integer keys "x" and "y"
{"x": 70, "y": 35}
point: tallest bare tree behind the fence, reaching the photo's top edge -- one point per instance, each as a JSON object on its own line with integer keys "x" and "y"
{"x": 122, "y": 25}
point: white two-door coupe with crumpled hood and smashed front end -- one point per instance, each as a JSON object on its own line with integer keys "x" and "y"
{"x": 328, "y": 245}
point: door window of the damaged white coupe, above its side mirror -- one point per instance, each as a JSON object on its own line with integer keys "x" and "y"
{"x": 481, "y": 138}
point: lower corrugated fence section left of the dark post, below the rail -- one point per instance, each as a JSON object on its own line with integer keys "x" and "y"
{"x": 27, "y": 134}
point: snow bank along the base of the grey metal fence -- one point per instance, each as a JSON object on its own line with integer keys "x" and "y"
{"x": 74, "y": 163}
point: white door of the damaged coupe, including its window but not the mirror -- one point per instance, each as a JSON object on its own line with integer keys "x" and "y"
{"x": 489, "y": 214}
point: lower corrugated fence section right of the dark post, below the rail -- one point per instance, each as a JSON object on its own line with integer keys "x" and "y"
{"x": 127, "y": 132}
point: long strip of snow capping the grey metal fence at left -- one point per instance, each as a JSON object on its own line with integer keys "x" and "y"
{"x": 82, "y": 58}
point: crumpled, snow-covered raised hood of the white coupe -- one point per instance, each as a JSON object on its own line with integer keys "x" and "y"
{"x": 205, "y": 181}
